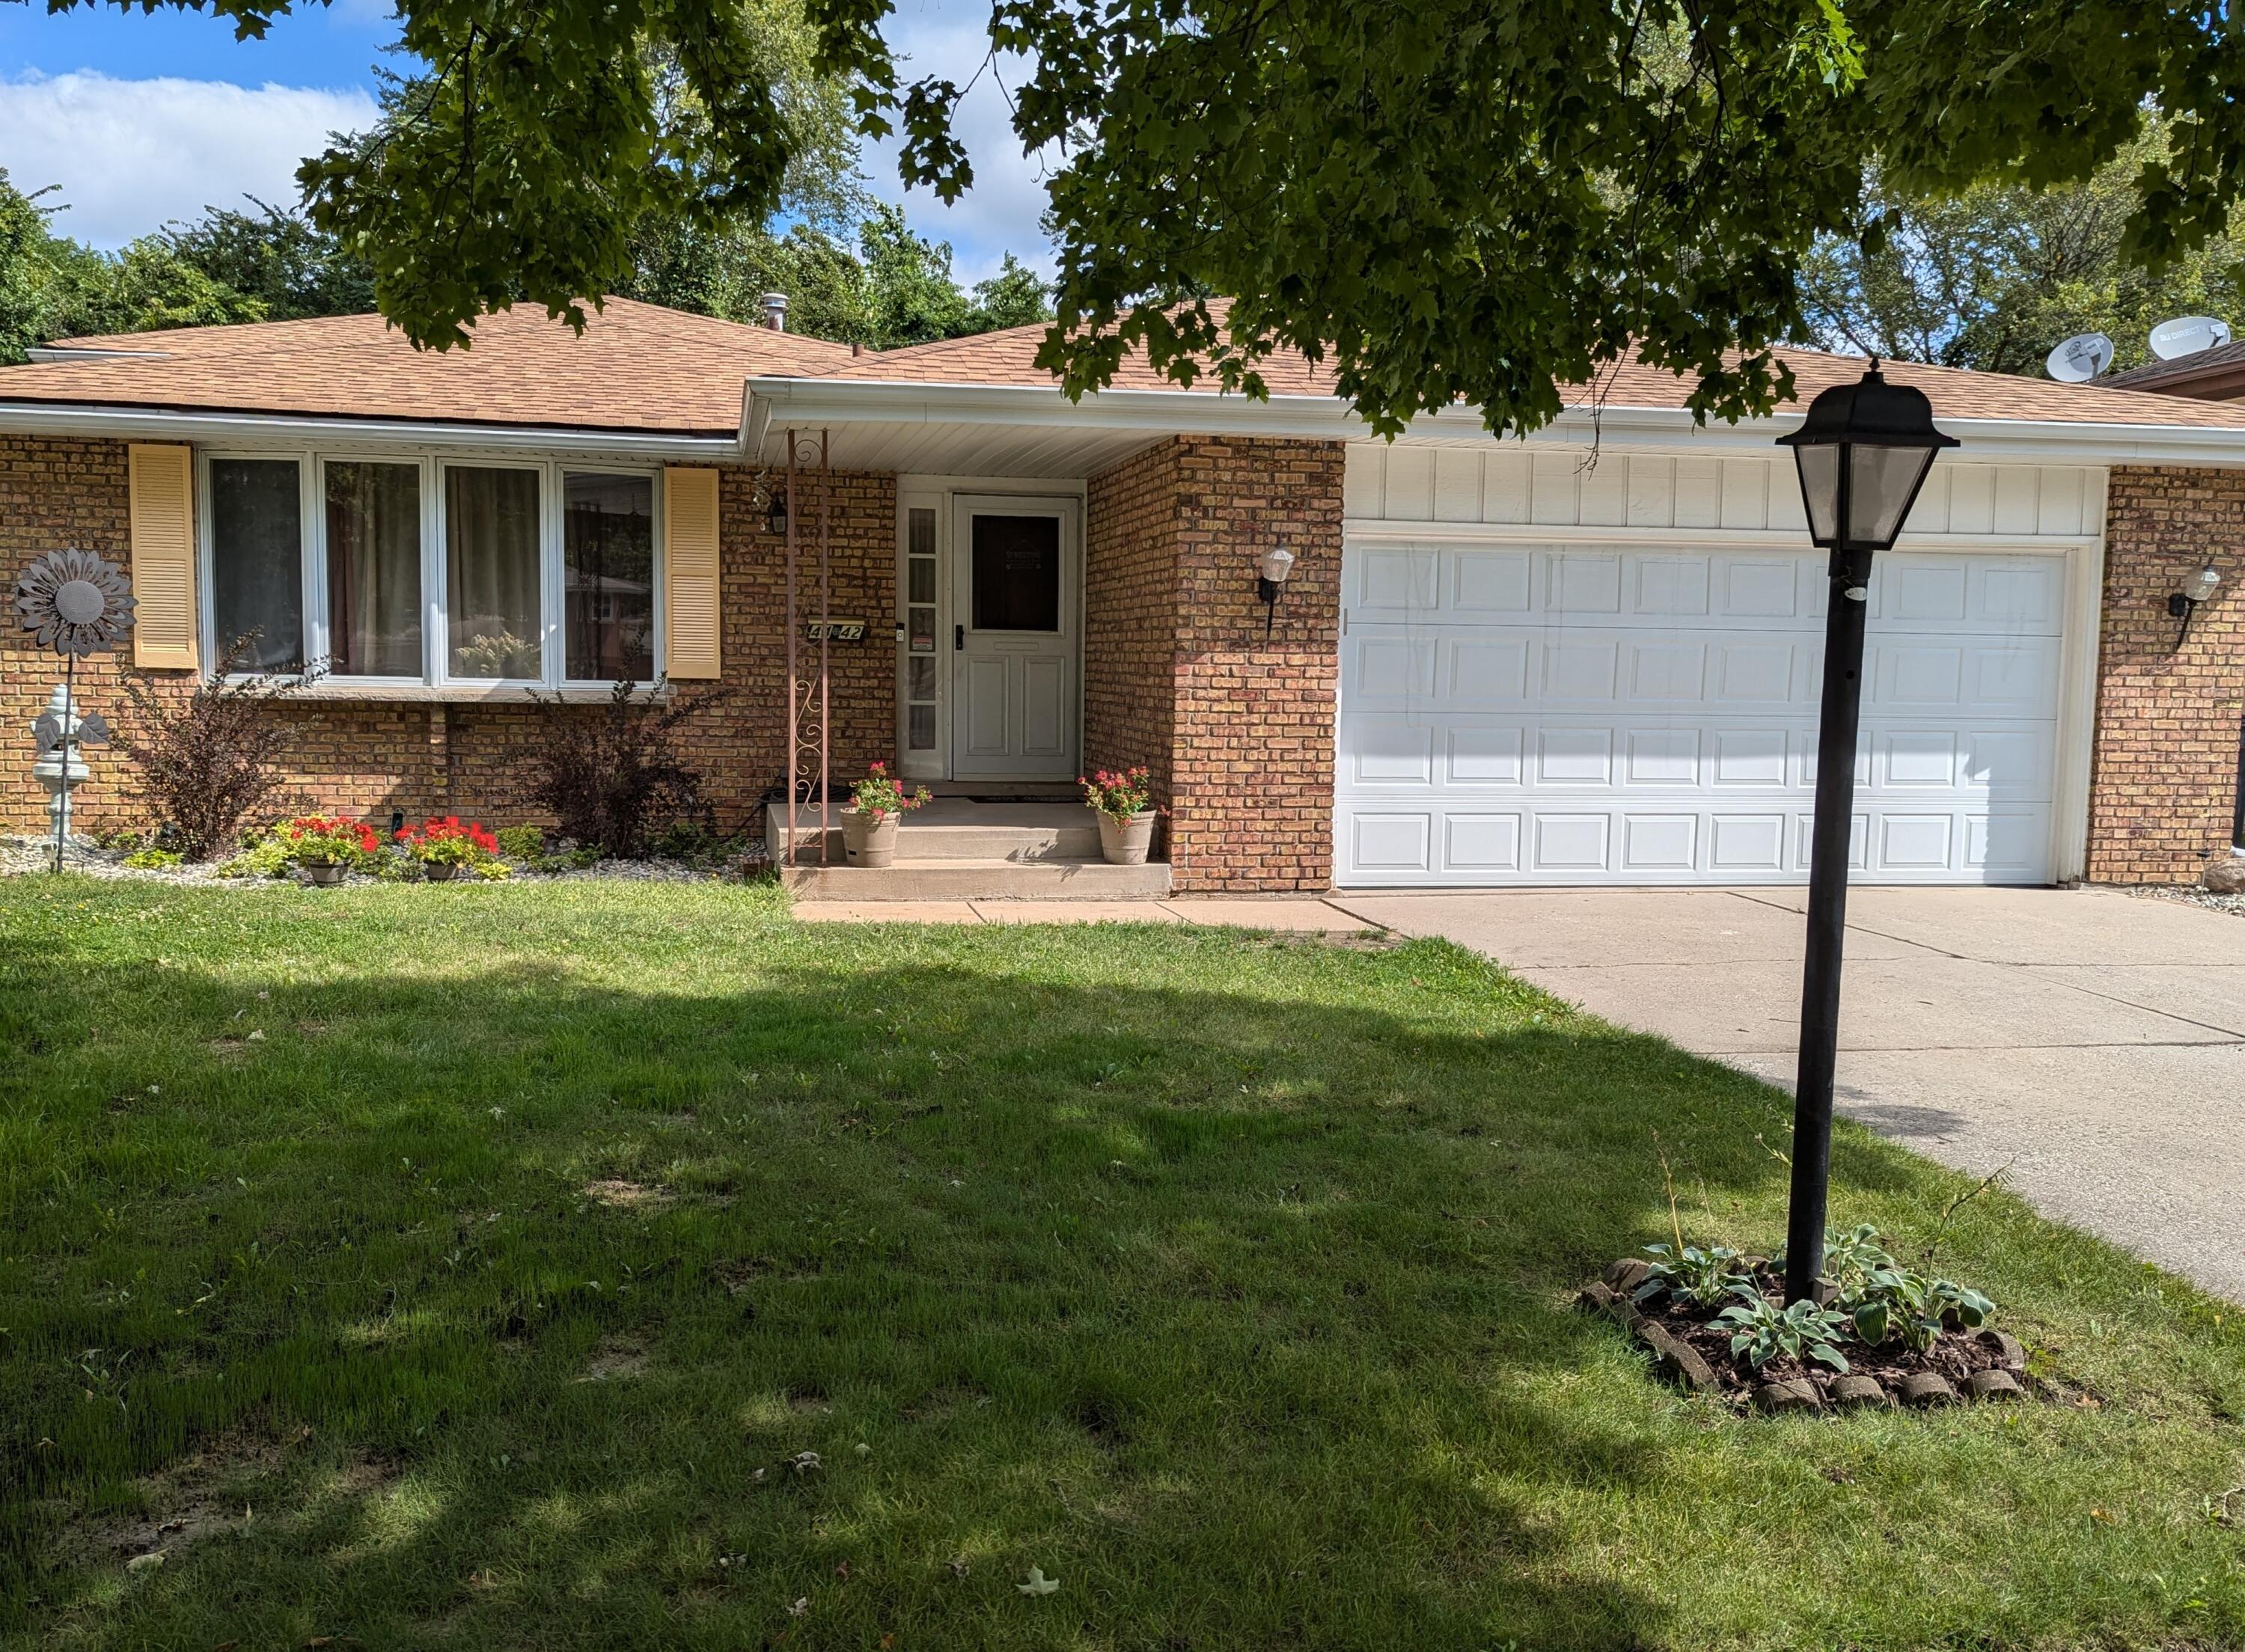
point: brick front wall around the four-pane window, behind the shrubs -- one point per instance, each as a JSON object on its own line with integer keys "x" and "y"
{"x": 372, "y": 758}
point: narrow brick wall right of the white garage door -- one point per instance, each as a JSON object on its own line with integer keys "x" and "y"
{"x": 2163, "y": 775}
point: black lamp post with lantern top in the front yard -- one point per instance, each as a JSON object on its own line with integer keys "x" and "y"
{"x": 1862, "y": 452}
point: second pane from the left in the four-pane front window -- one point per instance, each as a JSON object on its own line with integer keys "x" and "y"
{"x": 374, "y": 569}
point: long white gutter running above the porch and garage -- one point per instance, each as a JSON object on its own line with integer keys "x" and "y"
{"x": 805, "y": 403}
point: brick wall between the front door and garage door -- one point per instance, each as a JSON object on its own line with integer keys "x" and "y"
{"x": 1236, "y": 726}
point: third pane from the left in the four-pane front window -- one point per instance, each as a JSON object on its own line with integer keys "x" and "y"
{"x": 493, "y": 573}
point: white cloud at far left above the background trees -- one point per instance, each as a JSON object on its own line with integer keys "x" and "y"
{"x": 131, "y": 156}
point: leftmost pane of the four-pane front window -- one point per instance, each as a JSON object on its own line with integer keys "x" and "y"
{"x": 257, "y": 562}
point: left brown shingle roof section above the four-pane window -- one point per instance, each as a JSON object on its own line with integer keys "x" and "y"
{"x": 639, "y": 367}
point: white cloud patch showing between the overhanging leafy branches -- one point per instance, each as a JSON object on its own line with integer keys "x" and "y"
{"x": 1000, "y": 214}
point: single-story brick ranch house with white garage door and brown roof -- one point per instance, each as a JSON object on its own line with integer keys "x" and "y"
{"x": 1579, "y": 659}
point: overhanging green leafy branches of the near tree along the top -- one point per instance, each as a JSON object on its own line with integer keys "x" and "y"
{"x": 1442, "y": 199}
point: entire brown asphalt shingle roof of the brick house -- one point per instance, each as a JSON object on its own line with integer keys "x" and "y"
{"x": 648, "y": 369}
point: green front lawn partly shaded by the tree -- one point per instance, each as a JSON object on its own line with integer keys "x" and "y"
{"x": 486, "y": 1298}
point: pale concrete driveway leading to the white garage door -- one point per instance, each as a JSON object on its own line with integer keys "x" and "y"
{"x": 2091, "y": 1038}
